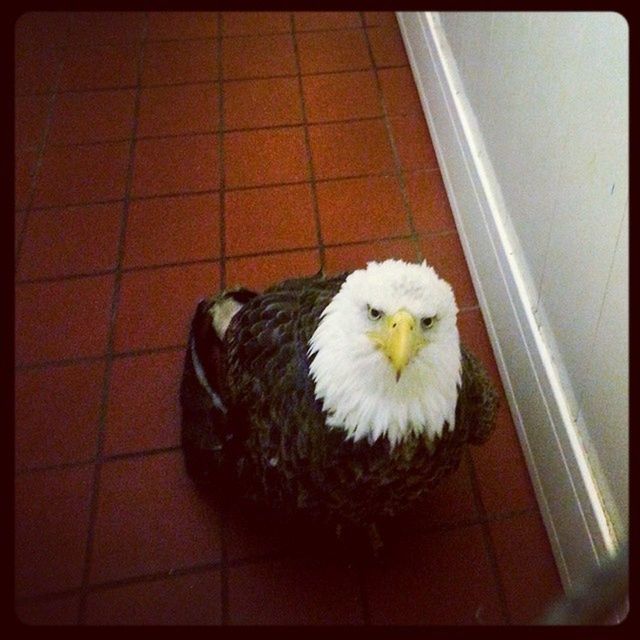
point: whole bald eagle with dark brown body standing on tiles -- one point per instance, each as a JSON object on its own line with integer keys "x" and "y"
{"x": 343, "y": 398}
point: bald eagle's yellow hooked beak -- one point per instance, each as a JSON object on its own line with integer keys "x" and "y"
{"x": 399, "y": 339}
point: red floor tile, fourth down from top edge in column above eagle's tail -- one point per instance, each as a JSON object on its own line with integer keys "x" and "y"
{"x": 168, "y": 166}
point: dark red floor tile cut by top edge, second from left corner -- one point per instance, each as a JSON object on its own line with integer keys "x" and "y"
{"x": 105, "y": 27}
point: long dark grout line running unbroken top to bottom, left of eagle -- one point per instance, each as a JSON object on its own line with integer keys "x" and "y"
{"x": 93, "y": 508}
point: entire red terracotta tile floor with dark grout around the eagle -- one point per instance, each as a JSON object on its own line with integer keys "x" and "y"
{"x": 162, "y": 156}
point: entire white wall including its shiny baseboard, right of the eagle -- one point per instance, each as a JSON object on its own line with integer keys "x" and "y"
{"x": 529, "y": 116}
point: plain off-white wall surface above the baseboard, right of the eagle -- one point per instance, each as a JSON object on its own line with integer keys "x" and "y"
{"x": 550, "y": 94}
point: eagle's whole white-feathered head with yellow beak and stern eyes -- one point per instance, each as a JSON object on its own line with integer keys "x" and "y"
{"x": 386, "y": 353}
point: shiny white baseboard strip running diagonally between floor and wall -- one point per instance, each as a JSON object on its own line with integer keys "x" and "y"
{"x": 580, "y": 532}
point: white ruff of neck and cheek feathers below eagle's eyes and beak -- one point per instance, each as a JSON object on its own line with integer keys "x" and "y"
{"x": 357, "y": 384}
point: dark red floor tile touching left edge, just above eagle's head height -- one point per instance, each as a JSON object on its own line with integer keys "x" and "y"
{"x": 77, "y": 240}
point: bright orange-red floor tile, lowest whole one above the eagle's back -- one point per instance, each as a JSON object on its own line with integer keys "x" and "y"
{"x": 271, "y": 219}
